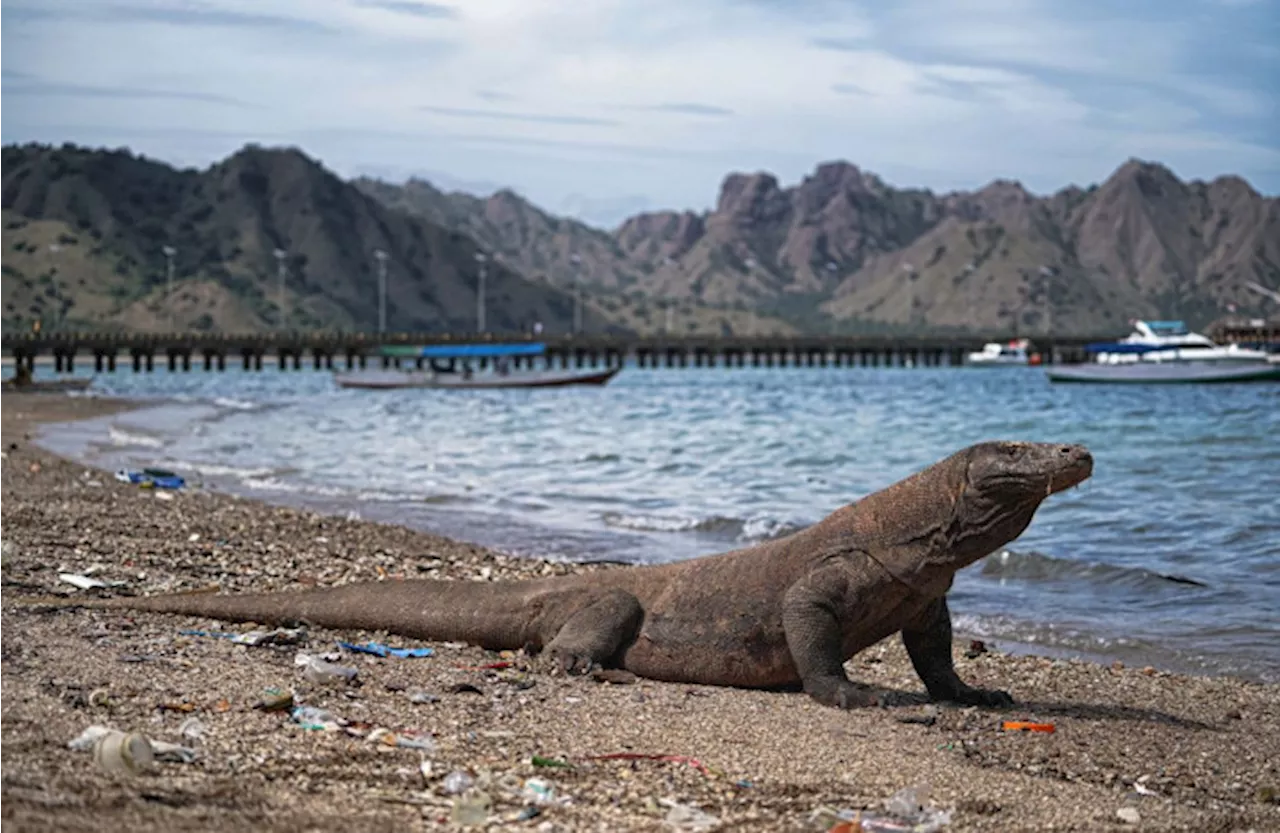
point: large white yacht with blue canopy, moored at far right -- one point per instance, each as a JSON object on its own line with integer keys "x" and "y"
{"x": 1168, "y": 353}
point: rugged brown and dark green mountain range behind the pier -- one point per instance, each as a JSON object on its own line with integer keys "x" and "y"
{"x": 83, "y": 234}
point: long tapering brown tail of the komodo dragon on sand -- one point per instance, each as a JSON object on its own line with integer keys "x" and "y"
{"x": 495, "y": 616}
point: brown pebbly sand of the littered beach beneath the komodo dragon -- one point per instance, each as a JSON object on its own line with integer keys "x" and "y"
{"x": 1133, "y": 749}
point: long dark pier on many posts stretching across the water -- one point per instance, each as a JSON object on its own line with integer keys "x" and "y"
{"x": 185, "y": 353}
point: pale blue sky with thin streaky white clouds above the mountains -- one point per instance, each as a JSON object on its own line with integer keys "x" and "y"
{"x": 602, "y": 108}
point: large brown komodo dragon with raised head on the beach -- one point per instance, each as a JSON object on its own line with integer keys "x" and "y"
{"x": 772, "y": 616}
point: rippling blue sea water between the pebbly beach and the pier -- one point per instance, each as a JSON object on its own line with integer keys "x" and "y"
{"x": 1169, "y": 556}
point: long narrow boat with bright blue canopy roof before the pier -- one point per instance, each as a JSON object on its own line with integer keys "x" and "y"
{"x": 446, "y": 373}
